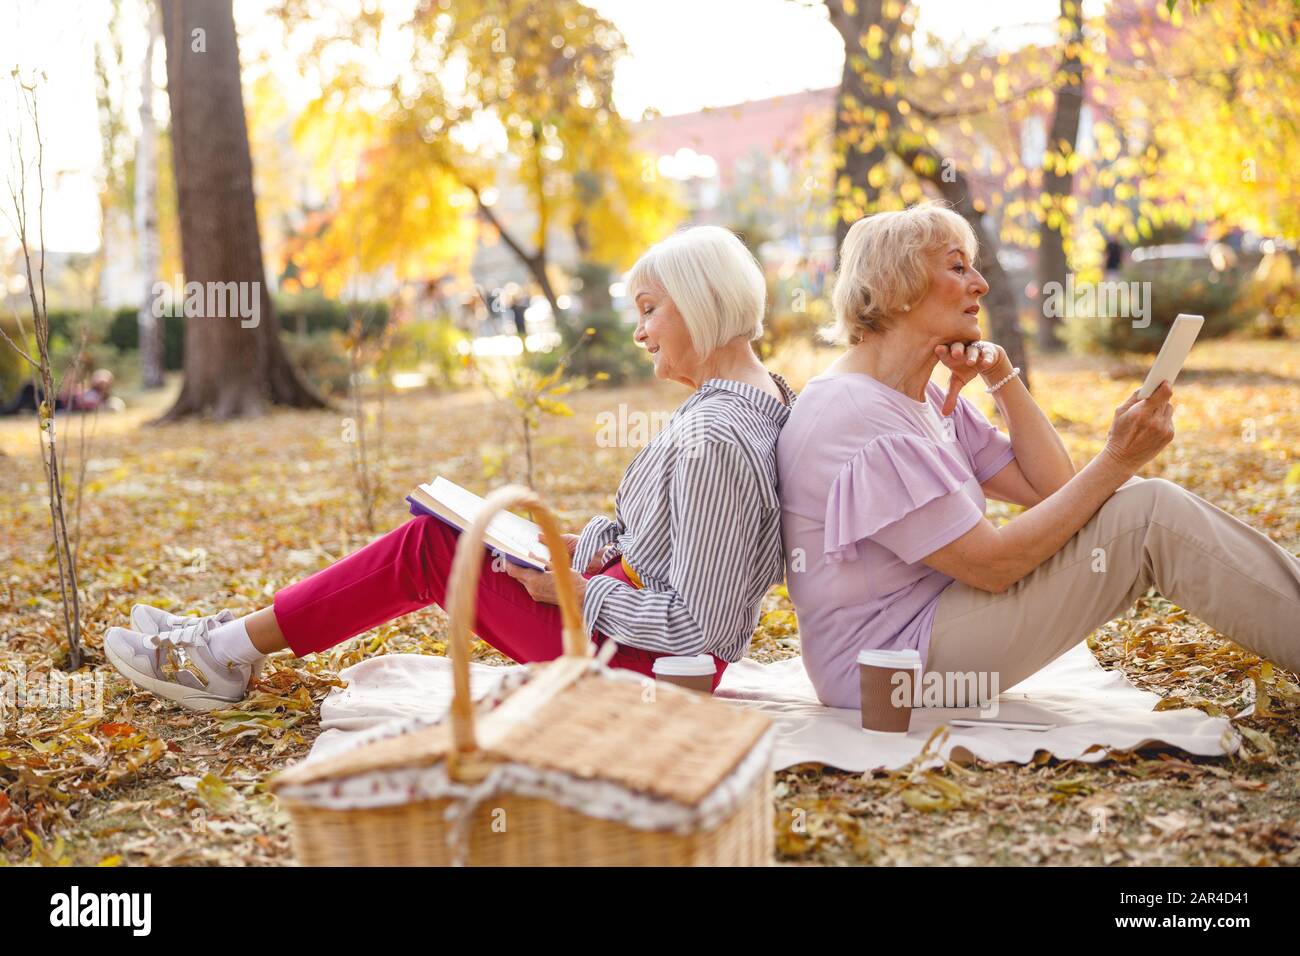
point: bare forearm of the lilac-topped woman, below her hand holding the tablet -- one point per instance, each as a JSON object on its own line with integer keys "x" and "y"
{"x": 1034, "y": 537}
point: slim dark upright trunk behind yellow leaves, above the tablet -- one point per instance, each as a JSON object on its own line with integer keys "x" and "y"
{"x": 1065, "y": 129}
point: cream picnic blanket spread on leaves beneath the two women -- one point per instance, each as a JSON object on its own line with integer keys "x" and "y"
{"x": 1093, "y": 711}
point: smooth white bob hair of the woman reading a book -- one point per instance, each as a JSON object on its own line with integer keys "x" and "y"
{"x": 713, "y": 280}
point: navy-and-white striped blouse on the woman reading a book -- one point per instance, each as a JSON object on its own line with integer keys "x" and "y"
{"x": 699, "y": 520}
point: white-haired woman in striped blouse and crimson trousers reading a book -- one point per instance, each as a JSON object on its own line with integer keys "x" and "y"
{"x": 681, "y": 570}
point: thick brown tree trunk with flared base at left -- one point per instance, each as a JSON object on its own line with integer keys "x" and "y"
{"x": 235, "y": 362}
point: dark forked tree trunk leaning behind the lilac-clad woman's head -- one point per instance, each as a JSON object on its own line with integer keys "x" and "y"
{"x": 952, "y": 184}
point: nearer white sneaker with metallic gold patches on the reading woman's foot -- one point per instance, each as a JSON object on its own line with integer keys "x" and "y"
{"x": 179, "y": 665}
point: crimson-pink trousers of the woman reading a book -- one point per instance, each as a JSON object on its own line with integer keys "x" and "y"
{"x": 409, "y": 569}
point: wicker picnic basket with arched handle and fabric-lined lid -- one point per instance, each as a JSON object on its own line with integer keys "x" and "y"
{"x": 569, "y": 764}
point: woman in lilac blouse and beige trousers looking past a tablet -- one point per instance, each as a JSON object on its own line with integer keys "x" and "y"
{"x": 883, "y": 485}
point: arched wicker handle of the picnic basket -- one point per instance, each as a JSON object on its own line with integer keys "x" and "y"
{"x": 463, "y": 590}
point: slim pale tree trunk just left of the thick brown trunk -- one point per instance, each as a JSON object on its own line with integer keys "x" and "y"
{"x": 148, "y": 220}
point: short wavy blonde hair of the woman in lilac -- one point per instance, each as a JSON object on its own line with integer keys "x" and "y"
{"x": 883, "y": 266}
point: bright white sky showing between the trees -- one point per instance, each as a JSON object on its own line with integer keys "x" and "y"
{"x": 684, "y": 55}
